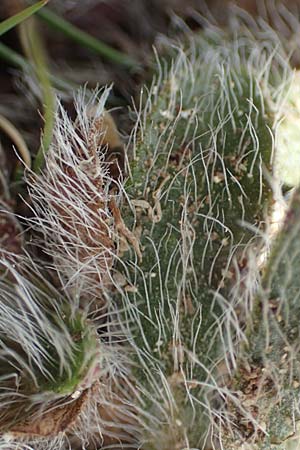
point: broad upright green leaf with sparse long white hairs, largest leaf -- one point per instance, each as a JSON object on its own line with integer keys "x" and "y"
{"x": 199, "y": 196}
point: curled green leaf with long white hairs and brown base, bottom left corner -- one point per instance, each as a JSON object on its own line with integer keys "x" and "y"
{"x": 49, "y": 354}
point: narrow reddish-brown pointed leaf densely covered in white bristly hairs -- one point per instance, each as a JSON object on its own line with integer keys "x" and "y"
{"x": 72, "y": 199}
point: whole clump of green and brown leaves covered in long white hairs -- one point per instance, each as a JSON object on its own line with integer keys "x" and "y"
{"x": 169, "y": 320}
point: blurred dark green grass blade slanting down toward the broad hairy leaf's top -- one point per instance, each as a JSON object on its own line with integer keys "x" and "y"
{"x": 85, "y": 39}
